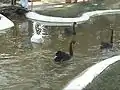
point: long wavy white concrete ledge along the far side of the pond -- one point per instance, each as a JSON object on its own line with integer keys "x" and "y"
{"x": 60, "y": 21}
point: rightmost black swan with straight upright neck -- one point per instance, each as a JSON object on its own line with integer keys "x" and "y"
{"x": 107, "y": 45}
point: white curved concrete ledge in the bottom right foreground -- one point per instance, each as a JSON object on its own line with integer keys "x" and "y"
{"x": 89, "y": 74}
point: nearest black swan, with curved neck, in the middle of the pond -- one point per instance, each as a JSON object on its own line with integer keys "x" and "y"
{"x": 62, "y": 56}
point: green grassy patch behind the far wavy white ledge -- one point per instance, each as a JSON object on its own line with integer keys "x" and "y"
{"x": 72, "y": 10}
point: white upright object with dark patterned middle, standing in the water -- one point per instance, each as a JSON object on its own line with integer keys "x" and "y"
{"x": 38, "y": 31}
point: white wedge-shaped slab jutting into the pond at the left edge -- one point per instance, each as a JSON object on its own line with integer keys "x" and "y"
{"x": 5, "y": 23}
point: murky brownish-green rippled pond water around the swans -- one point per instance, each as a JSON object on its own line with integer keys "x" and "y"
{"x": 25, "y": 66}
